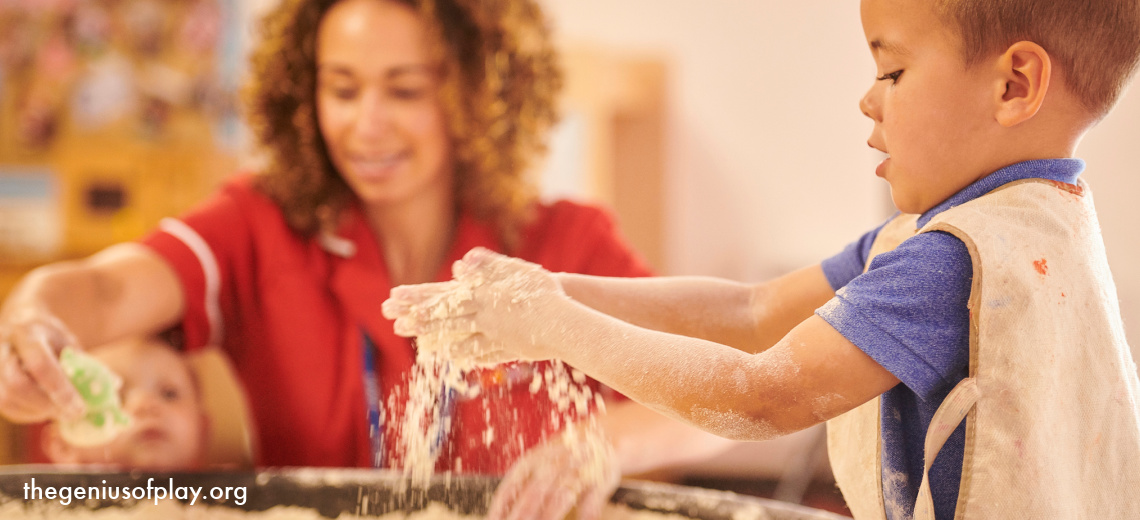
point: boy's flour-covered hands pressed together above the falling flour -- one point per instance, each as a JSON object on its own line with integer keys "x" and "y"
{"x": 495, "y": 310}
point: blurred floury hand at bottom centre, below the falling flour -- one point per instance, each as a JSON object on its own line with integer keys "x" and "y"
{"x": 577, "y": 470}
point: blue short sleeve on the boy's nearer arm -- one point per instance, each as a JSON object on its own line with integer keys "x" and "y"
{"x": 909, "y": 312}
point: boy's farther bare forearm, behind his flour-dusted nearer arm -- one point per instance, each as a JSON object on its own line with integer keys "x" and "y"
{"x": 748, "y": 318}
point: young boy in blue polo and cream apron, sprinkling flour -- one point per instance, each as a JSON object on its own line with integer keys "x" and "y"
{"x": 989, "y": 298}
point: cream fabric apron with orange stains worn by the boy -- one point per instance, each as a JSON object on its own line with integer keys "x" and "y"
{"x": 1054, "y": 422}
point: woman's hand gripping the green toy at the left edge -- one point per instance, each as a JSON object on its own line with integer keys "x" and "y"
{"x": 34, "y": 386}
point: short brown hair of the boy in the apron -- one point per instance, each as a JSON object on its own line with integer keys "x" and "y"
{"x": 1095, "y": 43}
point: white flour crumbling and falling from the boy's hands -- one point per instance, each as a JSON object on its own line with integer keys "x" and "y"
{"x": 446, "y": 355}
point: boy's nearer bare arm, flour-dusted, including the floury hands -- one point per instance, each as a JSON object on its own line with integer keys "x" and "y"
{"x": 503, "y": 308}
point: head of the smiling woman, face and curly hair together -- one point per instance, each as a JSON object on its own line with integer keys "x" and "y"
{"x": 471, "y": 84}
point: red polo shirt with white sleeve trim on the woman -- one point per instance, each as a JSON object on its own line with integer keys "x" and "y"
{"x": 289, "y": 311}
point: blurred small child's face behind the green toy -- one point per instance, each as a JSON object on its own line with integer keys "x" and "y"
{"x": 168, "y": 426}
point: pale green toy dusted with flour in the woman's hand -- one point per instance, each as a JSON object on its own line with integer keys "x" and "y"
{"x": 99, "y": 387}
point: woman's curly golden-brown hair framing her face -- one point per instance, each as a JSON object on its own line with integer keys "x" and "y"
{"x": 501, "y": 80}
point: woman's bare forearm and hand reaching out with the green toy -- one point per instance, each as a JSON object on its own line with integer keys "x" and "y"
{"x": 124, "y": 290}
